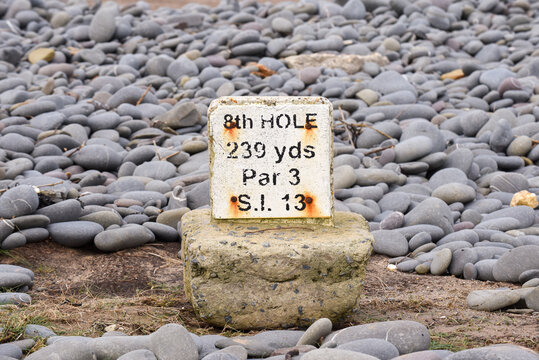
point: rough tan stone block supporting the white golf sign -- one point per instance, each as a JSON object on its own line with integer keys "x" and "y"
{"x": 252, "y": 276}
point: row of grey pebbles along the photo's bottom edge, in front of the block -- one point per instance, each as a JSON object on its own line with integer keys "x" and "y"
{"x": 397, "y": 340}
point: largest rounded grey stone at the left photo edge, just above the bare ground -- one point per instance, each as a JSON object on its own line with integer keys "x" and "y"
{"x": 18, "y": 201}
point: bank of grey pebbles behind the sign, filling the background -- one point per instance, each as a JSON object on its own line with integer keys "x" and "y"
{"x": 103, "y": 121}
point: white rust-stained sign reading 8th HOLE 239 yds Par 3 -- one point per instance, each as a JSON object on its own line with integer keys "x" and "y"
{"x": 271, "y": 158}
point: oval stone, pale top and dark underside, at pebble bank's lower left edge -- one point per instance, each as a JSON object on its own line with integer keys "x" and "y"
{"x": 74, "y": 233}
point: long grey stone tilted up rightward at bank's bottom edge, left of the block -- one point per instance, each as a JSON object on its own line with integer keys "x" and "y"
{"x": 122, "y": 238}
